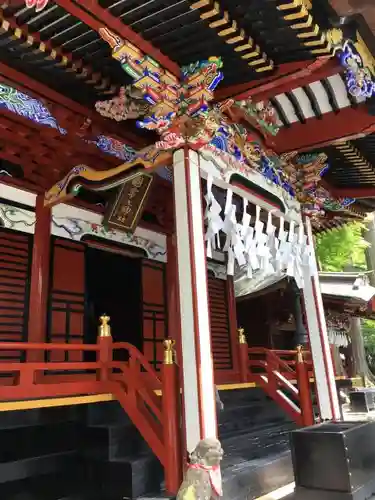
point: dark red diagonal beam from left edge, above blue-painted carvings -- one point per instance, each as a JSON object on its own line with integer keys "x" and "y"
{"x": 71, "y": 115}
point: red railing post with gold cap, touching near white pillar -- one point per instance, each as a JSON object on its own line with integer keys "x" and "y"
{"x": 171, "y": 420}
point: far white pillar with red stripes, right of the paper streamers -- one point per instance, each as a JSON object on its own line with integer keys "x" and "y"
{"x": 319, "y": 343}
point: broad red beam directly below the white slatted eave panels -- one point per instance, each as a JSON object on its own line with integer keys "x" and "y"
{"x": 348, "y": 123}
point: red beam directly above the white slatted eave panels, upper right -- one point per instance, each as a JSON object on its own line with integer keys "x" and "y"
{"x": 287, "y": 77}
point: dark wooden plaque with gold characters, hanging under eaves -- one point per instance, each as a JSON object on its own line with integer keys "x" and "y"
{"x": 125, "y": 211}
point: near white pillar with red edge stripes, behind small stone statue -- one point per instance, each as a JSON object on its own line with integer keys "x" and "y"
{"x": 197, "y": 365}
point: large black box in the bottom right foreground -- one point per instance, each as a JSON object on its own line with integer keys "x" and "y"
{"x": 334, "y": 461}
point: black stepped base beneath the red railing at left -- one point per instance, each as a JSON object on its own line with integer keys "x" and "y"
{"x": 88, "y": 452}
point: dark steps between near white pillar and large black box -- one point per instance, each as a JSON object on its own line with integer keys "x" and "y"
{"x": 254, "y": 433}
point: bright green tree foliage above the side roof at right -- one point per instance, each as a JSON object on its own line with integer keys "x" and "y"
{"x": 342, "y": 248}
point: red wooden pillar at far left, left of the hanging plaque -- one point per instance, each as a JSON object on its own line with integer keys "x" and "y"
{"x": 39, "y": 277}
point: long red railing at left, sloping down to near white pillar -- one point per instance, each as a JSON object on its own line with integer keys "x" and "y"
{"x": 133, "y": 382}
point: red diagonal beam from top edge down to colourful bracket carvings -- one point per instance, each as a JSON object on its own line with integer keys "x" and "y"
{"x": 92, "y": 14}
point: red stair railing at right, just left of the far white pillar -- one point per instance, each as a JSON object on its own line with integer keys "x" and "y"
{"x": 284, "y": 375}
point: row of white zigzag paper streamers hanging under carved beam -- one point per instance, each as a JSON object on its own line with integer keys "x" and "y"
{"x": 251, "y": 245}
